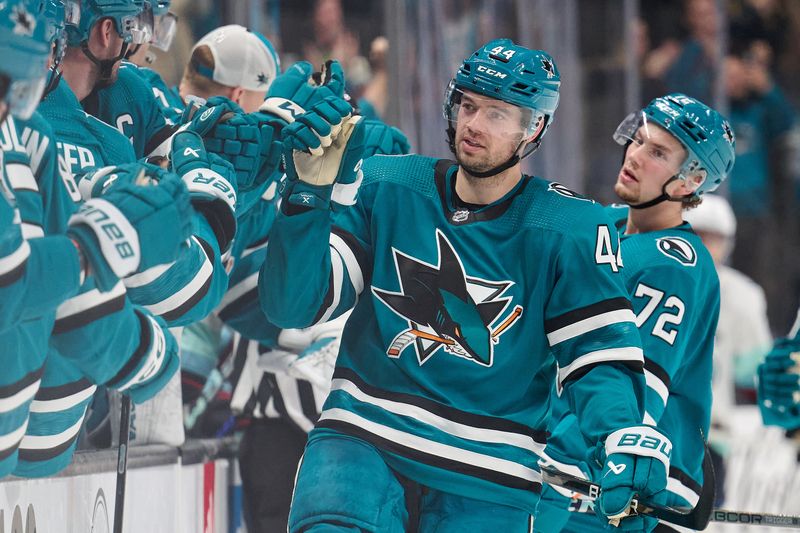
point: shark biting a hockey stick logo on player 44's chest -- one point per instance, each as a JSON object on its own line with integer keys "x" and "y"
{"x": 446, "y": 309}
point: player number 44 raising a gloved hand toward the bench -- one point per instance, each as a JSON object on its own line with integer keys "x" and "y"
{"x": 474, "y": 287}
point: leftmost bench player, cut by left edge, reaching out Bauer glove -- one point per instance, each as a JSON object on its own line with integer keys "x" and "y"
{"x": 51, "y": 266}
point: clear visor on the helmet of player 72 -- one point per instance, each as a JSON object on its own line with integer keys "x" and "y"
{"x": 651, "y": 141}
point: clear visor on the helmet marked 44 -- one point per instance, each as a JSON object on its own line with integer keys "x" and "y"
{"x": 493, "y": 116}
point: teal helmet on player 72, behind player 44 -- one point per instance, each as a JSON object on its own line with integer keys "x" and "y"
{"x": 704, "y": 133}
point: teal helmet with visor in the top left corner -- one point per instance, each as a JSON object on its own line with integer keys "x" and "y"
{"x": 25, "y": 49}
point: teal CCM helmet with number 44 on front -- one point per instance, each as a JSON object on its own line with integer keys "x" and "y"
{"x": 506, "y": 71}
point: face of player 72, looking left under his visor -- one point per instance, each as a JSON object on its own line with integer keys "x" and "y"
{"x": 651, "y": 158}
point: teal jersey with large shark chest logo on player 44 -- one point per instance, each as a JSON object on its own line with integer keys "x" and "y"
{"x": 462, "y": 321}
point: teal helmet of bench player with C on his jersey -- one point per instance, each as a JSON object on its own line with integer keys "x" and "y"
{"x": 129, "y": 16}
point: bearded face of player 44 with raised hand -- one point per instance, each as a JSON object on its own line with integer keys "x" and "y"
{"x": 488, "y": 131}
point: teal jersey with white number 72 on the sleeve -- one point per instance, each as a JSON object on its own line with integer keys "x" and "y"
{"x": 674, "y": 288}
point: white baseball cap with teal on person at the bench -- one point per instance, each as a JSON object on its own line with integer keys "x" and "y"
{"x": 242, "y": 58}
